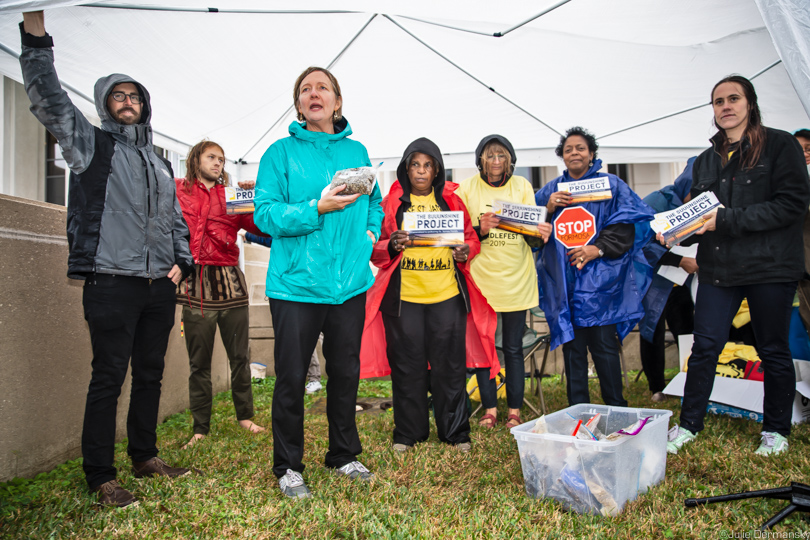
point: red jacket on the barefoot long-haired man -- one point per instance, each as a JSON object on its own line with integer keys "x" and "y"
{"x": 213, "y": 230}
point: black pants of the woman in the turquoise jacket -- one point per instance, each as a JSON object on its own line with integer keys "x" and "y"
{"x": 297, "y": 326}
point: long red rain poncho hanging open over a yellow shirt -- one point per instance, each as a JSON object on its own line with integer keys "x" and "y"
{"x": 481, "y": 320}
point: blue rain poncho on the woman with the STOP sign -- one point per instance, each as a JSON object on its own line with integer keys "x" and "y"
{"x": 606, "y": 291}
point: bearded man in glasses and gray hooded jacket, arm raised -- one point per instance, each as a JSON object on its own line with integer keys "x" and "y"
{"x": 128, "y": 241}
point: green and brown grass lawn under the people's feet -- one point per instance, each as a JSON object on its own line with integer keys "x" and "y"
{"x": 433, "y": 491}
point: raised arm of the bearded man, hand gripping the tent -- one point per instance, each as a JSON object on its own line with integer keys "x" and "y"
{"x": 49, "y": 102}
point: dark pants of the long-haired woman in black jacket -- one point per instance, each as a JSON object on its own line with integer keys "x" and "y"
{"x": 770, "y": 308}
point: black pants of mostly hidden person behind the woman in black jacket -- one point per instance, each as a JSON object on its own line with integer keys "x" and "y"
{"x": 679, "y": 315}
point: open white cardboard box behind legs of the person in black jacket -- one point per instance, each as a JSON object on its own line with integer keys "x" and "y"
{"x": 742, "y": 398}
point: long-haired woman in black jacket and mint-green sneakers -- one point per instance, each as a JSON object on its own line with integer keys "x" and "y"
{"x": 749, "y": 248}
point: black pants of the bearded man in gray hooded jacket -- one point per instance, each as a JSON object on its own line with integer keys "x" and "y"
{"x": 128, "y": 317}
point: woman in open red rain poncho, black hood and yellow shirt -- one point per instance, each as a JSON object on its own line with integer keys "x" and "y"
{"x": 422, "y": 297}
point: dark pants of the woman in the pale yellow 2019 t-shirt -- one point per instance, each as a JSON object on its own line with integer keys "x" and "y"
{"x": 513, "y": 324}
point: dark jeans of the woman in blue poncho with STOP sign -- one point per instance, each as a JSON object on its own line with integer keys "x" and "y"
{"x": 604, "y": 347}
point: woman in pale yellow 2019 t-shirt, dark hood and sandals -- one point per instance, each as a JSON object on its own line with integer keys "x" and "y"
{"x": 505, "y": 269}
